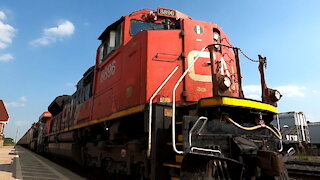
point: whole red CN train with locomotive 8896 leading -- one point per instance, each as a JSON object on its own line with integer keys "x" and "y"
{"x": 164, "y": 100}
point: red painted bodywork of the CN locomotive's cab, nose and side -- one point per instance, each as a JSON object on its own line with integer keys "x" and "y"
{"x": 130, "y": 74}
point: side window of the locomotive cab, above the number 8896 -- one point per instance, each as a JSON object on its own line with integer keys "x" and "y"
{"x": 111, "y": 42}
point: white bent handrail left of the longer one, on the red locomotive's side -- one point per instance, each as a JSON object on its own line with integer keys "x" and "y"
{"x": 150, "y": 107}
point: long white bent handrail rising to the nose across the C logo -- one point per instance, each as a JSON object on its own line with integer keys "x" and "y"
{"x": 173, "y": 123}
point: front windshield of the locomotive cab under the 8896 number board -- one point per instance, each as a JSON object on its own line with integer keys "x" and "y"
{"x": 137, "y": 26}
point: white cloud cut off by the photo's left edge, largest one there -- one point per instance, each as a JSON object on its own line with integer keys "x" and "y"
{"x": 7, "y": 32}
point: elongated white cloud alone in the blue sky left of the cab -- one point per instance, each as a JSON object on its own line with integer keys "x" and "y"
{"x": 51, "y": 35}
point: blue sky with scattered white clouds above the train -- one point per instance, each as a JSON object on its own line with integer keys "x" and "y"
{"x": 46, "y": 46}
